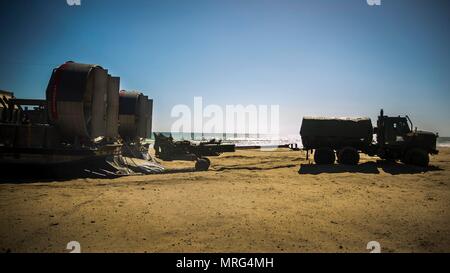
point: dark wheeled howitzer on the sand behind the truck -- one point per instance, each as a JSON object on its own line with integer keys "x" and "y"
{"x": 167, "y": 149}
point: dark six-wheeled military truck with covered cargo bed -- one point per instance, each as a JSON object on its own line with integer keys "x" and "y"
{"x": 345, "y": 138}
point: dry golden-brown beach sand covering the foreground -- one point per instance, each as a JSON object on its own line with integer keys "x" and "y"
{"x": 251, "y": 201}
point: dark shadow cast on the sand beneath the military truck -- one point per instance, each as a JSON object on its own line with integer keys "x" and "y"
{"x": 393, "y": 168}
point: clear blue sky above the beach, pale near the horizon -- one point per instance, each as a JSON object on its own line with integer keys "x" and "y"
{"x": 312, "y": 57}
